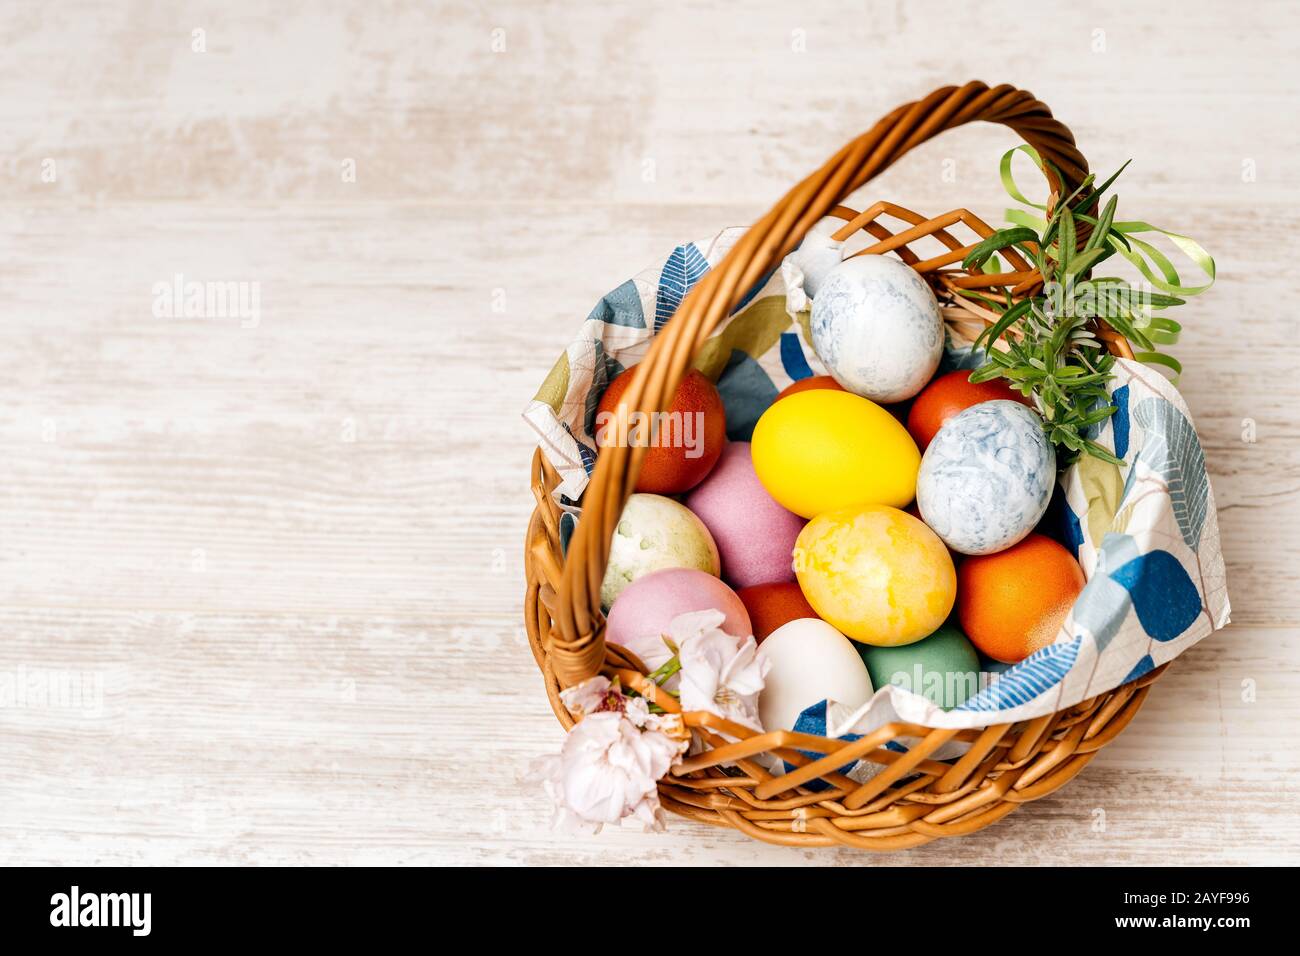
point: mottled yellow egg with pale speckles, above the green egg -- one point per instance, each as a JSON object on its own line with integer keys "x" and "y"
{"x": 877, "y": 574}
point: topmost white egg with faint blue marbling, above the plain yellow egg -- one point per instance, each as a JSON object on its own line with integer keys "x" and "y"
{"x": 877, "y": 327}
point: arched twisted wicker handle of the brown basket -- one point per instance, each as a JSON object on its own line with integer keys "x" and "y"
{"x": 578, "y": 639}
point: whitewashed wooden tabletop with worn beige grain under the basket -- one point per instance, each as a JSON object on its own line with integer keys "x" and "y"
{"x": 283, "y": 559}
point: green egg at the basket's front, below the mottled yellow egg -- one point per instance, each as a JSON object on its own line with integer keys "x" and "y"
{"x": 943, "y": 668}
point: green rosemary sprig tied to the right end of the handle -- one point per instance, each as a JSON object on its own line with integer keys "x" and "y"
{"x": 1051, "y": 351}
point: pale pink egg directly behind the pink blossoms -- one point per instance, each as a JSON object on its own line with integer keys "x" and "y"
{"x": 642, "y": 613}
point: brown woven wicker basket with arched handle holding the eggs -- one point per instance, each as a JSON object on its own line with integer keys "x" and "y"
{"x": 913, "y": 799}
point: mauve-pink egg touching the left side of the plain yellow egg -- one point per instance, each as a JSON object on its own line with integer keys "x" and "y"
{"x": 755, "y": 534}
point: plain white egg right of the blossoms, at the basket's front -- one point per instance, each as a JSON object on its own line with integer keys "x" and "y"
{"x": 812, "y": 663}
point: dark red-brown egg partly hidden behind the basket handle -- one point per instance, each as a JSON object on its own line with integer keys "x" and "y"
{"x": 684, "y": 443}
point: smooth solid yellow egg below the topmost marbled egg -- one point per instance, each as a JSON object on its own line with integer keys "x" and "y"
{"x": 822, "y": 451}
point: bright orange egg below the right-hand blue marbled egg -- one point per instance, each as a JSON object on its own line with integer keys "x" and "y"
{"x": 1013, "y": 603}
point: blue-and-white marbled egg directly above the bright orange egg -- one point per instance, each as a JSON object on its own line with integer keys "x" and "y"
{"x": 987, "y": 478}
